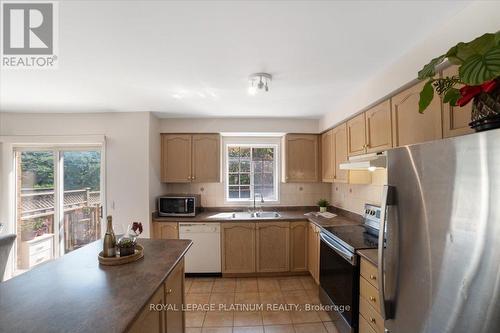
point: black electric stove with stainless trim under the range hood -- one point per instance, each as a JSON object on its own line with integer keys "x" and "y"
{"x": 339, "y": 266}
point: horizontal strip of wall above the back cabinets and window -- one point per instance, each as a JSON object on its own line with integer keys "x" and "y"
{"x": 215, "y": 125}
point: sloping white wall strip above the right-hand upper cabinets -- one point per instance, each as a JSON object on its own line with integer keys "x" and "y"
{"x": 476, "y": 19}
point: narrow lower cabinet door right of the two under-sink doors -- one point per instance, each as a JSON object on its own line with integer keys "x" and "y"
{"x": 298, "y": 246}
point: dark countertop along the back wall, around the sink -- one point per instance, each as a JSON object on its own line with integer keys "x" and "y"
{"x": 286, "y": 215}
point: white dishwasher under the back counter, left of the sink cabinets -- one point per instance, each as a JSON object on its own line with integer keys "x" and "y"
{"x": 204, "y": 256}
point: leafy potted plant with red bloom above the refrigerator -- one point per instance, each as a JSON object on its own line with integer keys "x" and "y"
{"x": 478, "y": 80}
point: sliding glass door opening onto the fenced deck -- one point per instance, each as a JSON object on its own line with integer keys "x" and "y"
{"x": 58, "y": 200}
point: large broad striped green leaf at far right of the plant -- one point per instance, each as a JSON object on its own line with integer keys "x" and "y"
{"x": 481, "y": 68}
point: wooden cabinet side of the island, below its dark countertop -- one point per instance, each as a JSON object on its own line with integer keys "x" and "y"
{"x": 171, "y": 292}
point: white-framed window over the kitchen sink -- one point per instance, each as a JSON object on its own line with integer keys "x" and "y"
{"x": 251, "y": 169}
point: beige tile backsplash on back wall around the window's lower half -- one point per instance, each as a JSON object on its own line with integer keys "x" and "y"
{"x": 291, "y": 194}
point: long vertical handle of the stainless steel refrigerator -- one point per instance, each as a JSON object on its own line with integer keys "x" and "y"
{"x": 388, "y": 200}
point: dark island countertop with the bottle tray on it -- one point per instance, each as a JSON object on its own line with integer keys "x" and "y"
{"x": 76, "y": 294}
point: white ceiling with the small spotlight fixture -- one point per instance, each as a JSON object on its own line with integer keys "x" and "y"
{"x": 193, "y": 58}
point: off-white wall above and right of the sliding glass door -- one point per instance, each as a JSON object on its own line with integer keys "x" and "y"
{"x": 128, "y": 154}
